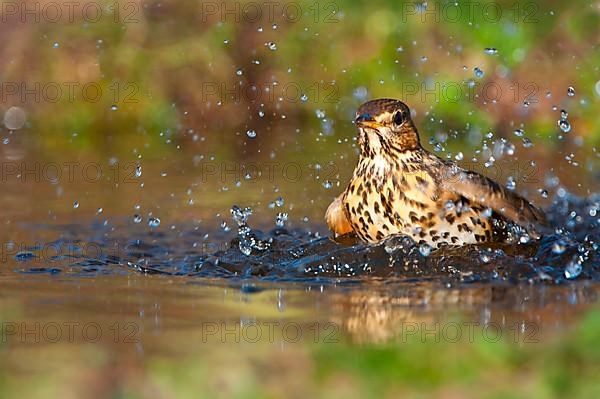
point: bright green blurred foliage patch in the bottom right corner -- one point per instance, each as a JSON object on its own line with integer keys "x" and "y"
{"x": 561, "y": 367}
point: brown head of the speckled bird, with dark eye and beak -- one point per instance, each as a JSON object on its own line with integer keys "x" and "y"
{"x": 385, "y": 125}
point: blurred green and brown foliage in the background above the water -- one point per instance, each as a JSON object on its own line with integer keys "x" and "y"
{"x": 170, "y": 67}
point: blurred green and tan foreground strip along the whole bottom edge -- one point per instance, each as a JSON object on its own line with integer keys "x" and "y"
{"x": 561, "y": 365}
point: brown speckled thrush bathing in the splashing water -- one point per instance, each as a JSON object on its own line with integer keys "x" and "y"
{"x": 400, "y": 188}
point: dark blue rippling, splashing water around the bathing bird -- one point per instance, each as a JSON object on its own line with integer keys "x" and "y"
{"x": 301, "y": 255}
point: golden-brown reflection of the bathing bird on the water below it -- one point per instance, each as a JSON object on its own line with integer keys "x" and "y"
{"x": 524, "y": 313}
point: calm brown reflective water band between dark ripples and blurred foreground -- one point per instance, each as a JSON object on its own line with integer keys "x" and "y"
{"x": 153, "y": 311}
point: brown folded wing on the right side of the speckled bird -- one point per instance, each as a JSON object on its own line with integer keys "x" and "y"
{"x": 486, "y": 192}
